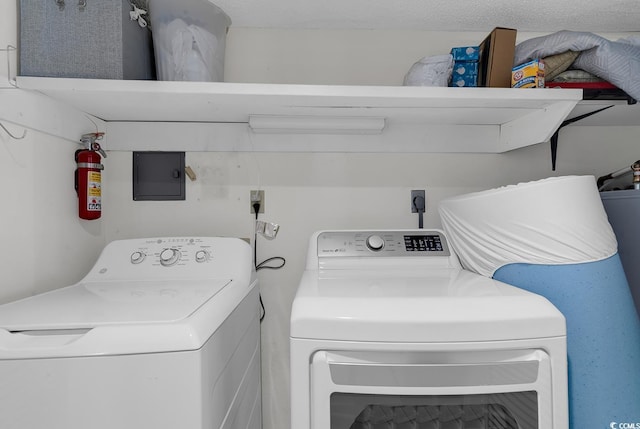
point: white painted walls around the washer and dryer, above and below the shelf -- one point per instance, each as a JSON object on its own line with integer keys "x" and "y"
{"x": 46, "y": 246}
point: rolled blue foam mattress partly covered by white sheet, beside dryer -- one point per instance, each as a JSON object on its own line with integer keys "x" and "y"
{"x": 553, "y": 237}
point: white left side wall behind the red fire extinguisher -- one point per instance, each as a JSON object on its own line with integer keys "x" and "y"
{"x": 44, "y": 244}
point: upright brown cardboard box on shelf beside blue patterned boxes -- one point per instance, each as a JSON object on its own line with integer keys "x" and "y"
{"x": 496, "y": 58}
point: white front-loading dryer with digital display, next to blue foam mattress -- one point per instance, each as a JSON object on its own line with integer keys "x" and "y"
{"x": 387, "y": 330}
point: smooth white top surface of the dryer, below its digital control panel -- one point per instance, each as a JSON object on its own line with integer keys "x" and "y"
{"x": 438, "y": 305}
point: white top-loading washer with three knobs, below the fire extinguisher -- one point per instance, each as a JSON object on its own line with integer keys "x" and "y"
{"x": 161, "y": 333}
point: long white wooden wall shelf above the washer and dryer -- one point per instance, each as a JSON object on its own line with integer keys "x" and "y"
{"x": 435, "y": 119}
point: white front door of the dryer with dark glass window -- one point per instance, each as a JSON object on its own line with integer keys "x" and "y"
{"x": 507, "y": 389}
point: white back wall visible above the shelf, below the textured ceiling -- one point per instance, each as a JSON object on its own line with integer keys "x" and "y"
{"x": 339, "y": 57}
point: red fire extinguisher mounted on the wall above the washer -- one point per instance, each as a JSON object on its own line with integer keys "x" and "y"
{"x": 88, "y": 177}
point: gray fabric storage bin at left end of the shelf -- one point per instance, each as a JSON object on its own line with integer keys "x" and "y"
{"x": 96, "y": 39}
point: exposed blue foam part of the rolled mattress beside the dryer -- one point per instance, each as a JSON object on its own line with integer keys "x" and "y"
{"x": 603, "y": 336}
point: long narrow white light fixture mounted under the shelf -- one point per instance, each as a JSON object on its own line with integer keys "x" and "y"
{"x": 277, "y": 124}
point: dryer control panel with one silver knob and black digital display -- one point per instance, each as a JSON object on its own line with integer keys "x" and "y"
{"x": 375, "y": 243}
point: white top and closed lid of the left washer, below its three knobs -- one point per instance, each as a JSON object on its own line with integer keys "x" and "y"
{"x": 104, "y": 318}
